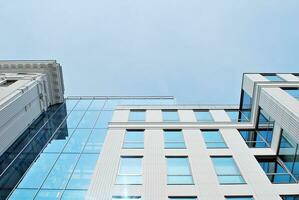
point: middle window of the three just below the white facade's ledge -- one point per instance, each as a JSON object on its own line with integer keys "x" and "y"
{"x": 174, "y": 139}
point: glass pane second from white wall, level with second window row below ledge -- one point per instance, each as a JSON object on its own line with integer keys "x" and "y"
{"x": 61, "y": 172}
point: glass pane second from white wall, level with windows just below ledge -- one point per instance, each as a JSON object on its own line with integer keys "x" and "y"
{"x": 78, "y": 140}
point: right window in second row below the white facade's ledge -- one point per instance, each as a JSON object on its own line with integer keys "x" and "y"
{"x": 227, "y": 170}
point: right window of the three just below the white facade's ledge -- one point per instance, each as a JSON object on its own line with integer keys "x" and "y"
{"x": 213, "y": 139}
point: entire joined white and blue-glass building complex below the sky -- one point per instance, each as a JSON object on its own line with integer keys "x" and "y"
{"x": 149, "y": 148}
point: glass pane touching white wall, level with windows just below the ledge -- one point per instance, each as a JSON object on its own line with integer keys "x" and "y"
{"x": 95, "y": 141}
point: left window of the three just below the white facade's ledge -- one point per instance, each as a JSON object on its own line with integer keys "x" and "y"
{"x": 134, "y": 139}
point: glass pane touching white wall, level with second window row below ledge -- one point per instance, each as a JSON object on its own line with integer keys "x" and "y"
{"x": 83, "y": 171}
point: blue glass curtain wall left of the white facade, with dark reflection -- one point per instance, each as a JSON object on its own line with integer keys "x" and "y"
{"x": 55, "y": 157}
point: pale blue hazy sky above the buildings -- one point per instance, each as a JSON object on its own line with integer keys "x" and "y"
{"x": 195, "y": 50}
